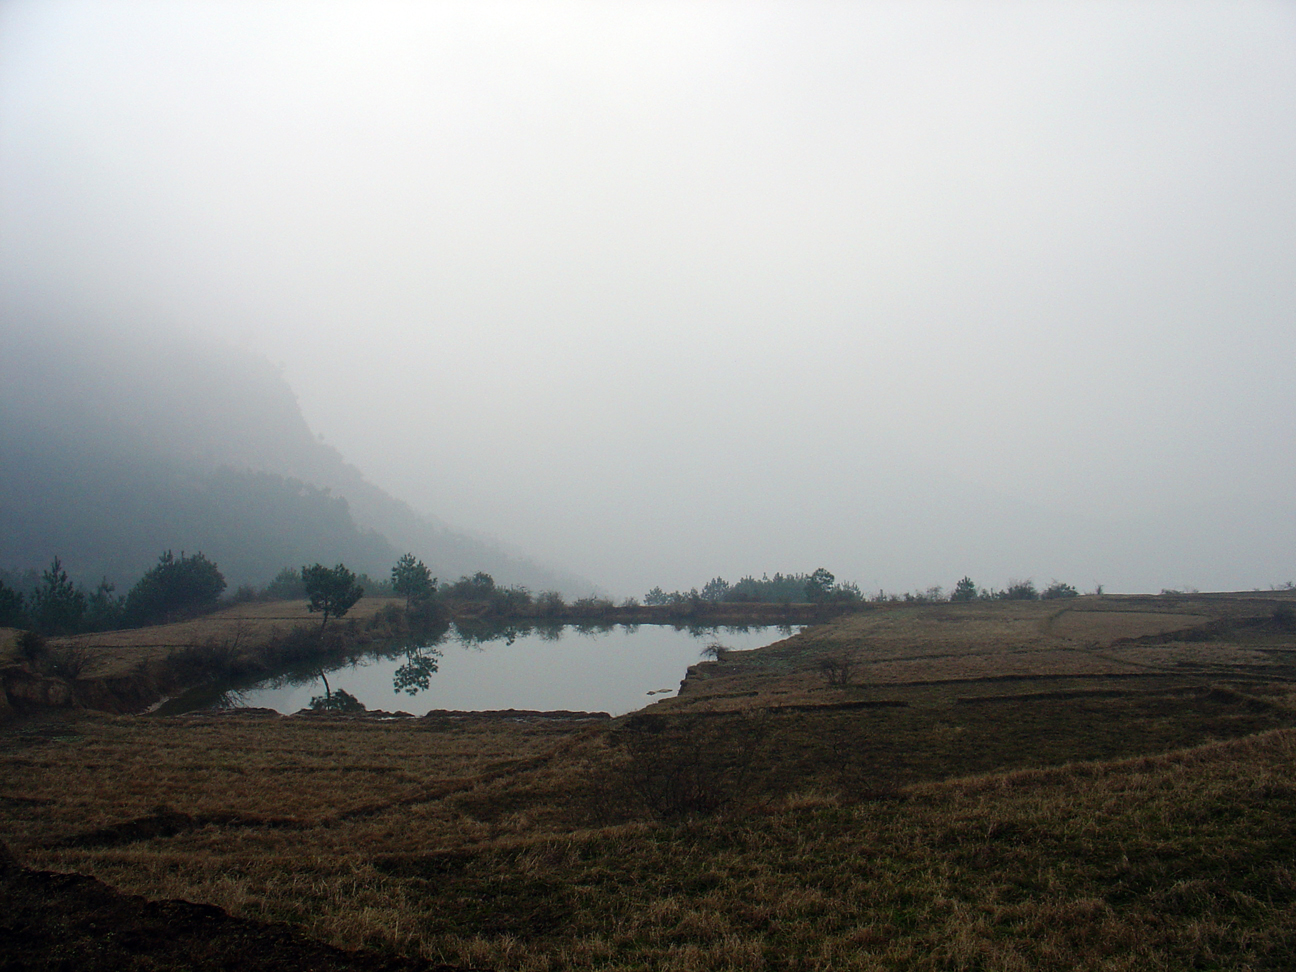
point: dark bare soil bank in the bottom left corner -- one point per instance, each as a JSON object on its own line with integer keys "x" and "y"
{"x": 68, "y": 922}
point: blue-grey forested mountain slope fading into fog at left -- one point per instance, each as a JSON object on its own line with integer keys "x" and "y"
{"x": 116, "y": 449}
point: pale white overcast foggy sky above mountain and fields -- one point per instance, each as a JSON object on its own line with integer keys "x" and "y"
{"x": 664, "y": 291}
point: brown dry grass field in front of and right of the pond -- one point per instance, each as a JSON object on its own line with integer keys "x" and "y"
{"x": 1101, "y": 783}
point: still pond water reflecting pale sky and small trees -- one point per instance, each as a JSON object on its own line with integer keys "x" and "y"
{"x": 614, "y": 671}
